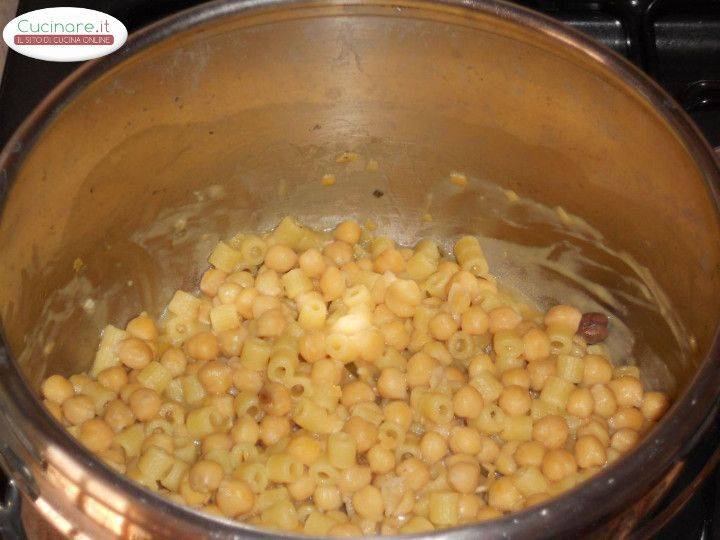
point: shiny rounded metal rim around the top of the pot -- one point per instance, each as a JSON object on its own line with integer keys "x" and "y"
{"x": 580, "y": 508}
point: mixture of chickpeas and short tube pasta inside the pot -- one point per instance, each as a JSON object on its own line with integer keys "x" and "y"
{"x": 335, "y": 383}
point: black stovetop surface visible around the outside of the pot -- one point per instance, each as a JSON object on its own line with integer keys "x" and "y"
{"x": 677, "y": 42}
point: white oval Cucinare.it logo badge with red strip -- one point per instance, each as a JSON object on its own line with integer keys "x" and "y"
{"x": 65, "y": 34}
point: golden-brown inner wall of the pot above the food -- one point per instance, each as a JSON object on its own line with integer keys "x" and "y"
{"x": 233, "y": 125}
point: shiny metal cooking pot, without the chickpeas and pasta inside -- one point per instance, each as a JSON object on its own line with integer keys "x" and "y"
{"x": 258, "y": 97}
